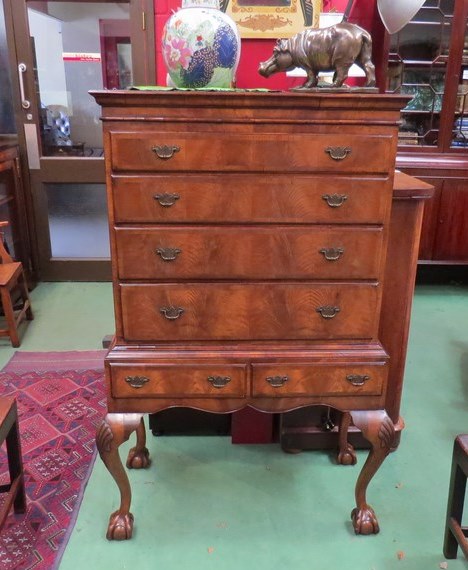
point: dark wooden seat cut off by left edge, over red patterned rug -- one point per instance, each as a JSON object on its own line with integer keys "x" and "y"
{"x": 9, "y": 431}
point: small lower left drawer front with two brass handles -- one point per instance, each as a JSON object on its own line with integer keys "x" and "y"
{"x": 179, "y": 380}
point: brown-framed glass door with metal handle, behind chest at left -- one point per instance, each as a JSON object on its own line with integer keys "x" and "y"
{"x": 62, "y": 50}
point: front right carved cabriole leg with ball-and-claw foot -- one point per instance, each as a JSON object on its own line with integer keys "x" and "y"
{"x": 379, "y": 430}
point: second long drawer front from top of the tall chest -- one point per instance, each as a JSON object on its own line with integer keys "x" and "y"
{"x": 252, "y": 199}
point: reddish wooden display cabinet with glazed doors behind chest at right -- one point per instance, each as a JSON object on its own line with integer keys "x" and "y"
{"x": 428, "y": 59}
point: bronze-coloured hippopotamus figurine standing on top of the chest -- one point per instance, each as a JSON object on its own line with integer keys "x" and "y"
{"x": 335, "y": 48}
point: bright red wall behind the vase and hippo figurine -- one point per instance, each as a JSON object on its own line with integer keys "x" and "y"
{"x": 255, "y": 50}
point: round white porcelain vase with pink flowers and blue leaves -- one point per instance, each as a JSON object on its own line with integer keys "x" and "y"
{"x": 201, "y": 46}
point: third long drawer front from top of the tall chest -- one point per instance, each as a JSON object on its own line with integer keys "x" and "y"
{"x": 272, "y": 252}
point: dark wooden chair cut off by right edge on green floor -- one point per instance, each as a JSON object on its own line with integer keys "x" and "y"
{"x": 455, "y": 534}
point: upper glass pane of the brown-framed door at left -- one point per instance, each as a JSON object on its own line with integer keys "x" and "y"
{"x": 77, "y": 47}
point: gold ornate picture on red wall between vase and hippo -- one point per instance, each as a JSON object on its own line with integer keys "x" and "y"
{"x": 273, "y": 18}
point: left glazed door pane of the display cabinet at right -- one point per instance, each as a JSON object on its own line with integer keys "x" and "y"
{"x": 418, "y": 67}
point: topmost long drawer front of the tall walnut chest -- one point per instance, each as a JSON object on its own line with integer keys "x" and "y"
{"x": 165, "y": 151}
